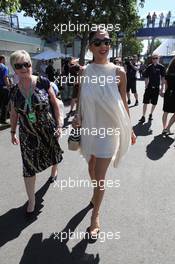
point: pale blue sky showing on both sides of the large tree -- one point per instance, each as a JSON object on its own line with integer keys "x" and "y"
{"x": 150, "y": 6}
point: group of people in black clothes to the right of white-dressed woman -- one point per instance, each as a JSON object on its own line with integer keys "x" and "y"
{"x": 158, "y": 82}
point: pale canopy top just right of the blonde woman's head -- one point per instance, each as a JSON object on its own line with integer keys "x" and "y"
{"x": 50, "y": 54}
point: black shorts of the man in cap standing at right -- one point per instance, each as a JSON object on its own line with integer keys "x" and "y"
{"x": 151, "y": 95}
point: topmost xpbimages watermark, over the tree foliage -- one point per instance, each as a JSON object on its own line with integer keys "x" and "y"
{"x": 72, "y": 27}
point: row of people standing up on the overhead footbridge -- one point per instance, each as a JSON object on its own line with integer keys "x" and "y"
{"x": 164, "y": 21}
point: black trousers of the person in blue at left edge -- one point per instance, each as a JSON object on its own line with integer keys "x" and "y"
{"x": 4, "y": 99}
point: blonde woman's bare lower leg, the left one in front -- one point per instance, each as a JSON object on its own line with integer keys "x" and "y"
{"x": 30, "y": 189}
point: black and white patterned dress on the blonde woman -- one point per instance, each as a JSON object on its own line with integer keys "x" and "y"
{"x": 39, "y": 145}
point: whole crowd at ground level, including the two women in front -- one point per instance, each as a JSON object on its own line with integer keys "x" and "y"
{"x": 97, "y": 106}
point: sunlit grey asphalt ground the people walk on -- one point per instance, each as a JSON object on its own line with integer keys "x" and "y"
{"x": 137, "y": 217}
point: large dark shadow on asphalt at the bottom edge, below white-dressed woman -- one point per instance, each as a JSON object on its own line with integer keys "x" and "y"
{"x": 54, "y": 249}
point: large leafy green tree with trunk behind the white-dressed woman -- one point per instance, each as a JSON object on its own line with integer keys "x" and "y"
{"x": 55, "y": 12}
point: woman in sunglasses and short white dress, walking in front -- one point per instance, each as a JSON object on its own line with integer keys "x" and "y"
{"x": 106, "y": 131}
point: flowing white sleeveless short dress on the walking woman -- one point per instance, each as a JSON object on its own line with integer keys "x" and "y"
{"x": 102, "y": 110}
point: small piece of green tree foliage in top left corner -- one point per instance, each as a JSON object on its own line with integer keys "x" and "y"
{"x": 9, "y": 6}
